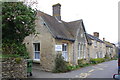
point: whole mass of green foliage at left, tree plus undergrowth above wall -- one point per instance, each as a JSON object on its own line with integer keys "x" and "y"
{"x": 18, "y": 21}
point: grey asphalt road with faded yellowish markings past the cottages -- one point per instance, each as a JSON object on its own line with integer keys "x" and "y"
{"x": 102, "y": 70}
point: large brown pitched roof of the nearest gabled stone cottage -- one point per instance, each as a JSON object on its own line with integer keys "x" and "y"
{"x": 61, "y": 29}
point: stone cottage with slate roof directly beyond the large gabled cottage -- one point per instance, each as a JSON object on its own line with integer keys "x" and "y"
{"x": 96, "y": 48}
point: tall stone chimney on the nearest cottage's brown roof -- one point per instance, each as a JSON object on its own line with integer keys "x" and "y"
{"x": 57, "y": 11}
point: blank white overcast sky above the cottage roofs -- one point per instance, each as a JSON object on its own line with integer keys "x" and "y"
{"x": 98, "y": 15}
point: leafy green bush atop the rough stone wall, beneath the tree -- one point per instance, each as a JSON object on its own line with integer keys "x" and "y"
{"x": 14, "y": 50}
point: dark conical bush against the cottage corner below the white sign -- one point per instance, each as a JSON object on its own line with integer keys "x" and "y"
{"x": 60, "y": 64}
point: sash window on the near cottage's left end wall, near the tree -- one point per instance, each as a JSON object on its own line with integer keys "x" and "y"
{"x": 36, "y": 51}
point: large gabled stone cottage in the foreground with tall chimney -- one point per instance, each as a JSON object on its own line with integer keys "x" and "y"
{"x": 54, "y": 36}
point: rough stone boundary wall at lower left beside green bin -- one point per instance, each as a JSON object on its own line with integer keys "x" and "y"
{"x": 14, "y": 68}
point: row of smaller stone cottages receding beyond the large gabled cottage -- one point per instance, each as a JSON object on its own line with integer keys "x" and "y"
{"x": 100, "y": 48}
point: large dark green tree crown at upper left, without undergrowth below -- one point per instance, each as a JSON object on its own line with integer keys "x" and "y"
{"x": 17, "y": 21}
